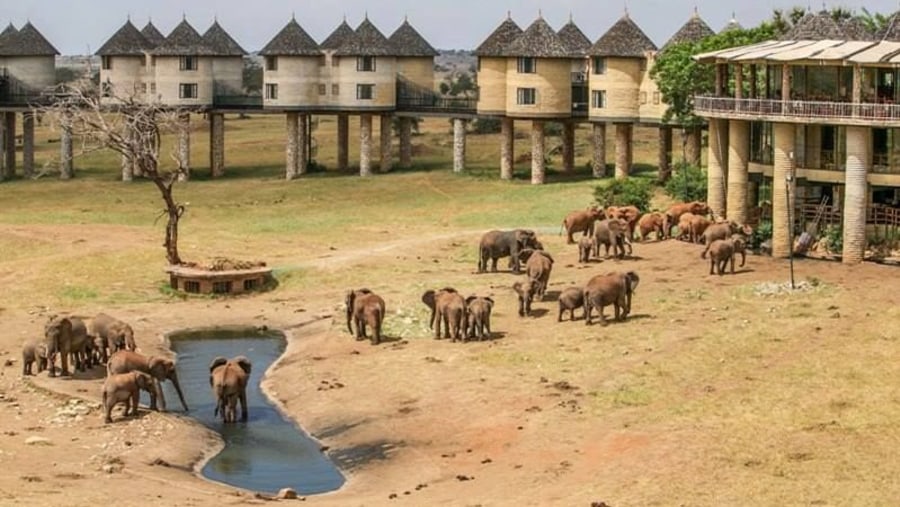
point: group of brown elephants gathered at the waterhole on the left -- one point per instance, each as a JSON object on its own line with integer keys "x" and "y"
{"x": 109, "y": 341}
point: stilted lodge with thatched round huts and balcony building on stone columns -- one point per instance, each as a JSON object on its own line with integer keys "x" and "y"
{"x": 818, "y": 105}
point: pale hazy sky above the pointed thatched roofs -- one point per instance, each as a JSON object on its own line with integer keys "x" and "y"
{"x": 79, "y": 26}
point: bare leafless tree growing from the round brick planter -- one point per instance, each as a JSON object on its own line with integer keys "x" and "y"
{"x": 132, "y": 127}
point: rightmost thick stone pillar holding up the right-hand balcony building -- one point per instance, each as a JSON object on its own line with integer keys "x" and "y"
{"x": 856, "y": 194}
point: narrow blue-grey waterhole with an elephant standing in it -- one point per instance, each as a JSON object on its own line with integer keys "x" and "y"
{"x": 266, "y": 453}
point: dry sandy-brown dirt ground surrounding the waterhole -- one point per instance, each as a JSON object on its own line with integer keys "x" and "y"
{"x": 547, "y": 413}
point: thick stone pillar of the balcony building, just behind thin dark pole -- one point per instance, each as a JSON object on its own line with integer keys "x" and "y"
{"x": 784, "y": 138}
